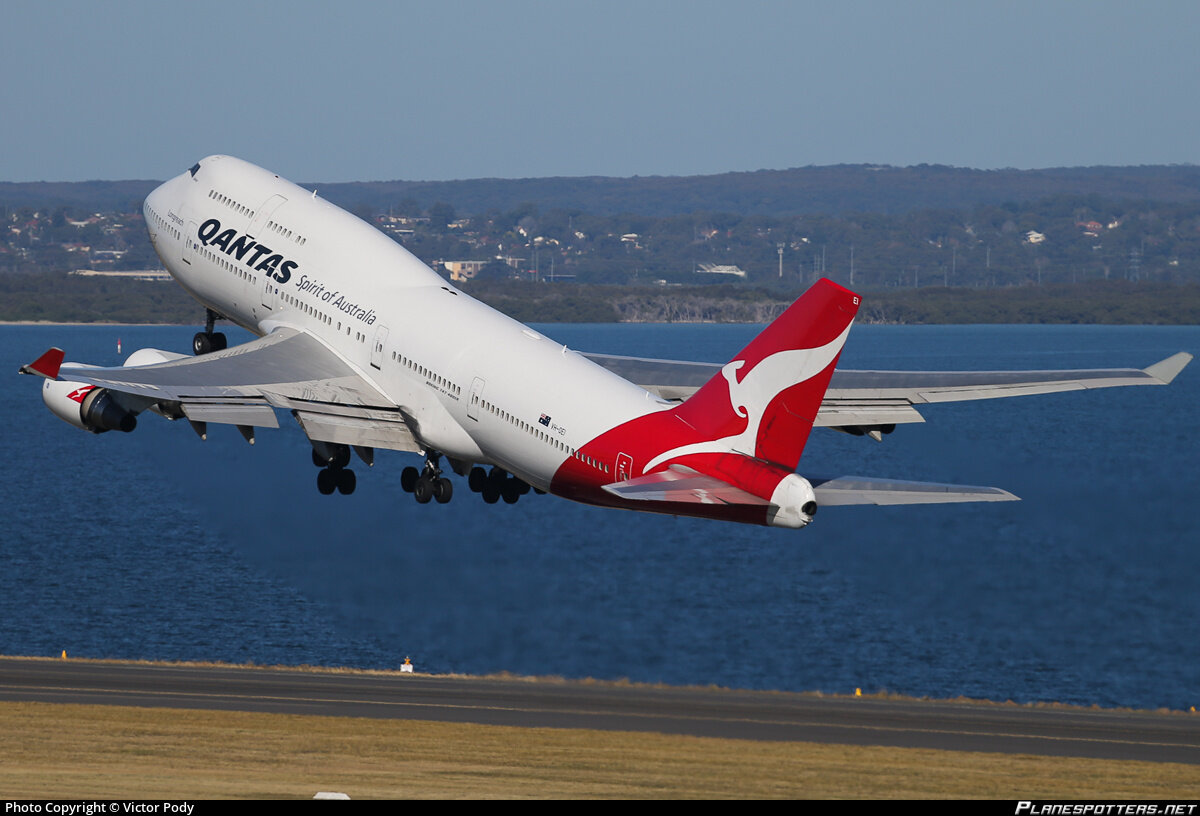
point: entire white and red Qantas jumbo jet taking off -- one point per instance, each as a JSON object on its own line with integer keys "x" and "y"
{"x": 369, "y": 349}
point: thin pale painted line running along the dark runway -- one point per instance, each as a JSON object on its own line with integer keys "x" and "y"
{"x": 791, "y": 724}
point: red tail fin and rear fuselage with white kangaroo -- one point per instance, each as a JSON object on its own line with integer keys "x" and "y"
{"x": 746, "y": 428}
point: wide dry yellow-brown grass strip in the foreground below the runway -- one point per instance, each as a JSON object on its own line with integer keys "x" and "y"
{"x": 107, "y": 752}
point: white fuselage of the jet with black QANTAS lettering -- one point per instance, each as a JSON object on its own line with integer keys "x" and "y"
{"x": 478, "y": 386}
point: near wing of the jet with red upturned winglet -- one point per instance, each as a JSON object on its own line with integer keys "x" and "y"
{"x": 245, "y": 385}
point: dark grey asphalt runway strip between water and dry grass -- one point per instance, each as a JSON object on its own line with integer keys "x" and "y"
{"x": 1149, "y": 736}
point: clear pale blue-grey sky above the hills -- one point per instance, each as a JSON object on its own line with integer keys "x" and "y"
{"x": 455, "y": 89}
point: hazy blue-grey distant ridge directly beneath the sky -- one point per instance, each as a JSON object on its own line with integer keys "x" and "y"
{"x": 832, "y": 190}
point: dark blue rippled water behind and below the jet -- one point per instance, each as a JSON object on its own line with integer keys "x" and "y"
{"x": 158, "y": 545}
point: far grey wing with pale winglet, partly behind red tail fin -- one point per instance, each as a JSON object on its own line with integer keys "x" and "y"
{"x": 865, "y": 399}
